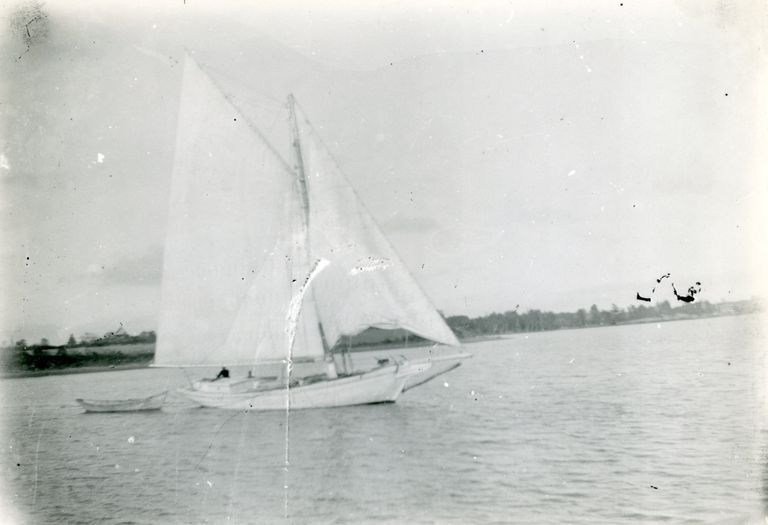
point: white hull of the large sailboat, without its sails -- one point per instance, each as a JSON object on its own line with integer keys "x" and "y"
{"x": 380, "y": 385}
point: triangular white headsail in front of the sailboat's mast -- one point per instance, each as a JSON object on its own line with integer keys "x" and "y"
{"x": 366, "y": 284}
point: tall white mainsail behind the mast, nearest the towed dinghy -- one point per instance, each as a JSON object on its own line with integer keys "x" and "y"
{"x": 228, "y": 252}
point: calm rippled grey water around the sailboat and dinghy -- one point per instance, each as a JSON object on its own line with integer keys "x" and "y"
{"x": 632, "y": 424}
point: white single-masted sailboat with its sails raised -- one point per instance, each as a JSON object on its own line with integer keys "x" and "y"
{"x": 271, "y": 261}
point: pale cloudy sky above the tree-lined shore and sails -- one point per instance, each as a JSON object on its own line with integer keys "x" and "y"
{"x": 515, "y": 153}
